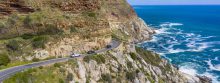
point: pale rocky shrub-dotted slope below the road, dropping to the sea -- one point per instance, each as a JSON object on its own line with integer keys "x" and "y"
{"x": 120, "y": 66}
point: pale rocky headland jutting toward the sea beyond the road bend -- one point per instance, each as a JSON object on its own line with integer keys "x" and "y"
{"x": 135, "y": 28}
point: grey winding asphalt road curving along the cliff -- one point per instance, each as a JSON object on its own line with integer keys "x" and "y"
{"x": 6, "y": 73}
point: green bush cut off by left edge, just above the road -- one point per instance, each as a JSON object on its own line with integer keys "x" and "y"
{"x": 4, "y": 59}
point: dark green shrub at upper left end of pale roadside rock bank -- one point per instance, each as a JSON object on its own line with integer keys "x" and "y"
{"x": 40, "y": 41}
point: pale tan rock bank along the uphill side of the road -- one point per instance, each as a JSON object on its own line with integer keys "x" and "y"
{"x": 67, "y": 46}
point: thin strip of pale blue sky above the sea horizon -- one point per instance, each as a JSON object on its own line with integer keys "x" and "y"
{"x": 174, "y": 2}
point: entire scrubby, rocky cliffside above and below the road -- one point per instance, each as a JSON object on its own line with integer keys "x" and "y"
{"x": 55, "y": 27}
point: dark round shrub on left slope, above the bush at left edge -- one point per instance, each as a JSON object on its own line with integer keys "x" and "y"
{"x": 13, "y": 45}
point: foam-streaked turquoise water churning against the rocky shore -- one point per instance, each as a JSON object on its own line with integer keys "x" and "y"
{"x": 185, "y": 50}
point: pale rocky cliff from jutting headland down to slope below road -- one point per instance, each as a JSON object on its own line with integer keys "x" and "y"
{"x": 128, "y": 63}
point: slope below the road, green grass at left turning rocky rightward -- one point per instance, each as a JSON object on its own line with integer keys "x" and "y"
{"x": 106, "y": 67}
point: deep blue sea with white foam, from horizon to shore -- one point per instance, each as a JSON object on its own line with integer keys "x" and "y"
{"x": 187, "y": 36}
